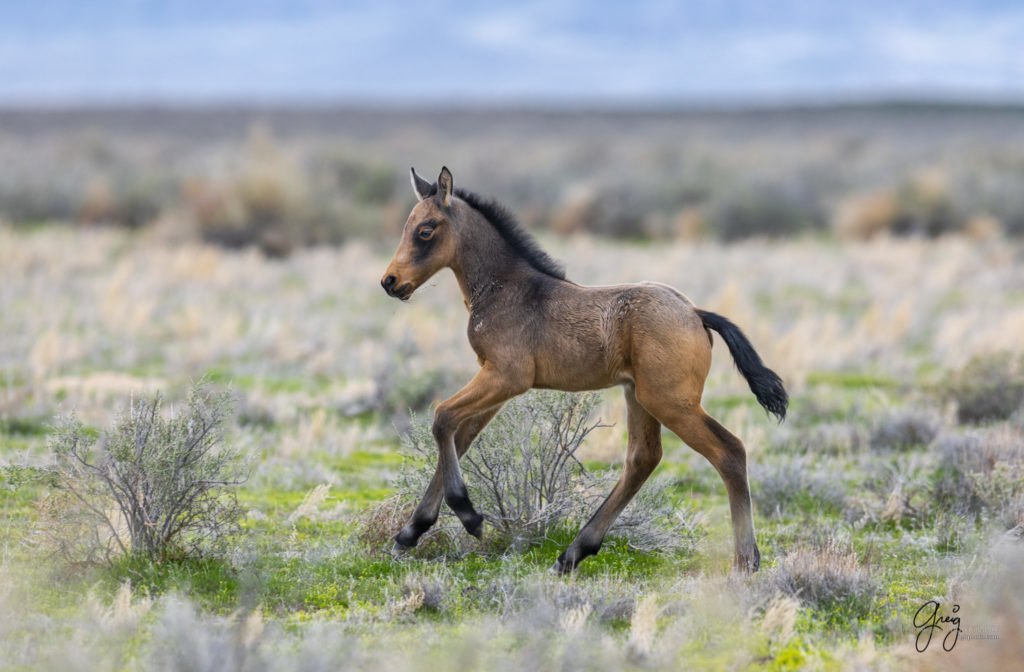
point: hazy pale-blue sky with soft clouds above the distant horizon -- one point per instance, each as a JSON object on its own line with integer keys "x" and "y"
{"x": 556, "y": 52}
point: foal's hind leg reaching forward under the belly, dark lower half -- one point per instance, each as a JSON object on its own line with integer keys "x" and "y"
{"x": 643, "y": 455}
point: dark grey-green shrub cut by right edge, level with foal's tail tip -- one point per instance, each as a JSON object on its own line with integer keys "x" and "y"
{"x": 990, "y": 388}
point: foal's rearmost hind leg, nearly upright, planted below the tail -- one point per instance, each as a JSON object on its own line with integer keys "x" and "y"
{"x": 728, "y": 455}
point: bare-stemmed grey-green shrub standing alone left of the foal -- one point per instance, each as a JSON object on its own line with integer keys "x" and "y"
{"x": 151, "y": 486}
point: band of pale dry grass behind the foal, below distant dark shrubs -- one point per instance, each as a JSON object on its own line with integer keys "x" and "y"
{"x": 93, "y": 315}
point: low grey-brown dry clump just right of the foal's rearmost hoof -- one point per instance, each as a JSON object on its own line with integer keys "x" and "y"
{"x": 826, "y": 575}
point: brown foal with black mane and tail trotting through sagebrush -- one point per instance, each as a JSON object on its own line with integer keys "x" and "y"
{"x": 532, "y": 327}
